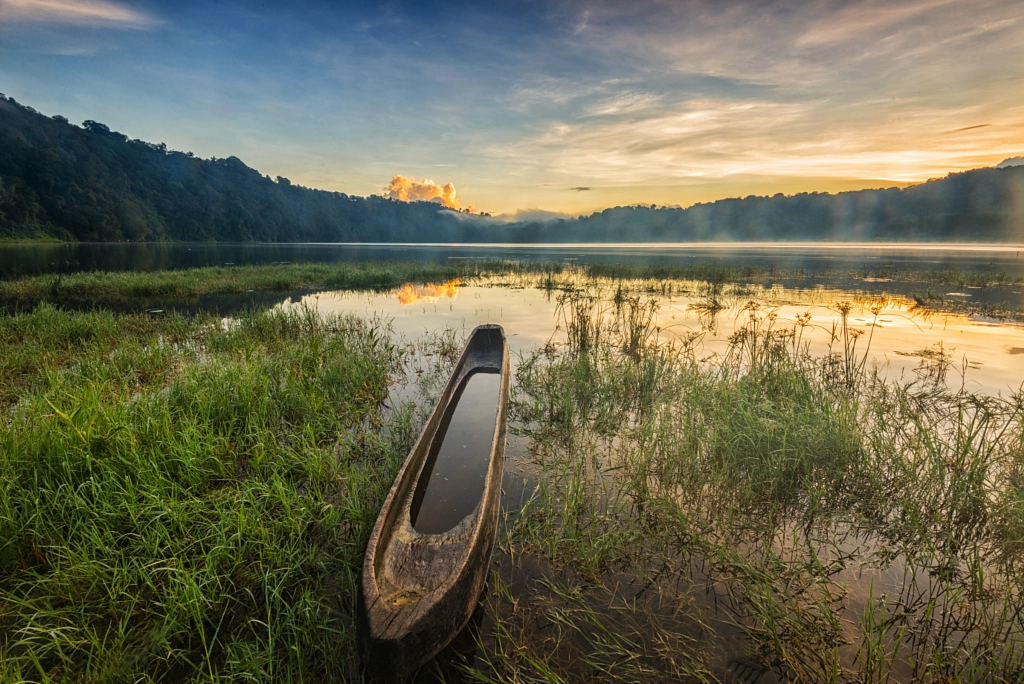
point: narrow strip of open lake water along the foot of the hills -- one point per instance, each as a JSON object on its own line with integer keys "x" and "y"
{"x": 47, "y": 259}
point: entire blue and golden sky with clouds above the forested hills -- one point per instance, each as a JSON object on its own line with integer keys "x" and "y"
{"x": 564, "y": 107}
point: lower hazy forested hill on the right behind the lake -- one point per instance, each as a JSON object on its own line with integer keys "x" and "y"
{"x": 984, "y": 205}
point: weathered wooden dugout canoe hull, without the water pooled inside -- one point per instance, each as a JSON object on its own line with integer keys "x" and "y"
{"x": 418, "y": 591}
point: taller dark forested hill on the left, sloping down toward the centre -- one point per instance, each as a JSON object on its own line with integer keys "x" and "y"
{"x": 92, "y": 184}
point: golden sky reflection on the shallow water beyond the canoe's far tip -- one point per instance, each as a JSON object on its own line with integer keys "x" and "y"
{"x": 888, "y": 331}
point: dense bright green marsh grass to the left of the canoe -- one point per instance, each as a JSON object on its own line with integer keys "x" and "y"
{"x": 193, "y": 501}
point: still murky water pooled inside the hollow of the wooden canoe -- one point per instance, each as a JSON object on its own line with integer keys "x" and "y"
{"x": 457, "y": 476}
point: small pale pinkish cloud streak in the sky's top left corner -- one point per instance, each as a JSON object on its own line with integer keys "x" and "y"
{"x": 82, "y": 13}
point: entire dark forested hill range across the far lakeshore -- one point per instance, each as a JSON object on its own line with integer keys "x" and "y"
{"x": 91, "y": 184}
